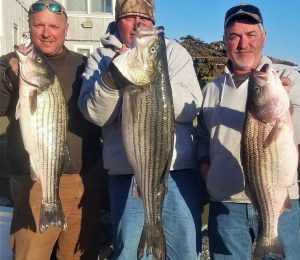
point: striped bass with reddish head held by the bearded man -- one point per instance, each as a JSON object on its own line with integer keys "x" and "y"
{"x": 269, "y": 155}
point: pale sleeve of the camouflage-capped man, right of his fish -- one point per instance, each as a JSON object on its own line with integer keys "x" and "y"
{"x": 187, "y": 96}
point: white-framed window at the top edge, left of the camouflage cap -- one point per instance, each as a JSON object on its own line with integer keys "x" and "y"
{"x": 89, "y": 6}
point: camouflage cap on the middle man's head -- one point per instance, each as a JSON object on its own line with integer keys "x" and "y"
{"x": 143, "y": 8}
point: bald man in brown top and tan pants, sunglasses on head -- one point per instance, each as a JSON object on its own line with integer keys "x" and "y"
{"x": 79, "y": 193}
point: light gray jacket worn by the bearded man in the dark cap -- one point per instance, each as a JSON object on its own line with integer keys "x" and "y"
{"x": 219, "y": 132}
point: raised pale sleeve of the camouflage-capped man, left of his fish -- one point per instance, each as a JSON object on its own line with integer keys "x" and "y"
{"x": 98, "y": 103}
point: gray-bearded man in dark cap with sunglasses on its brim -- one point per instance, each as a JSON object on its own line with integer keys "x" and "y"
{"x": 233, "y": 221}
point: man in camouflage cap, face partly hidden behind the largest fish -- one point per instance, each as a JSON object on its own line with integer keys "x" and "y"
{"x": 100, "y": 101}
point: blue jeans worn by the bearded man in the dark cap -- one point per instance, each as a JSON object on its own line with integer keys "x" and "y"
{"x": 233, "y": 227}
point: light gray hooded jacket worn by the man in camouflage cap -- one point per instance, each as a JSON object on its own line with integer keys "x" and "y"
{"x": 102, "y": 105}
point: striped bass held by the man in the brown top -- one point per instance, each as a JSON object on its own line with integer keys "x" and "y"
{"x": 42, "y": 114}
